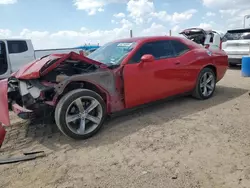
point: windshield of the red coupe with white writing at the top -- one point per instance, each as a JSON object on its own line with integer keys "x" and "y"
{"x": 112, "y": 53}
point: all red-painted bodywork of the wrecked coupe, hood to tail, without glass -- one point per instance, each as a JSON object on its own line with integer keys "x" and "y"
{"x": 139, "y": 83}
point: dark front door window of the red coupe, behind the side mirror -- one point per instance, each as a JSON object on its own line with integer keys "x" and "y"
{"x": 159, "y": 49}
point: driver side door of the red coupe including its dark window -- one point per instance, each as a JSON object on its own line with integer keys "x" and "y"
{"x": 148, "y": 81}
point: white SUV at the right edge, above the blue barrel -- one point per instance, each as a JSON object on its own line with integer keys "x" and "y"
{"x": 236, "y": 43}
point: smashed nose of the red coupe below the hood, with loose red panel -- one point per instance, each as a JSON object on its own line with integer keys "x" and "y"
{"x": 23, "y": 97}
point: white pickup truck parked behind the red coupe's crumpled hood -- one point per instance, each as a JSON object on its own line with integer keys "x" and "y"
{"x": 14, "y": 53}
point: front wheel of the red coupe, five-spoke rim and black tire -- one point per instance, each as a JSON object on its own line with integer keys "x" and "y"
{"x": 80, "y": 114}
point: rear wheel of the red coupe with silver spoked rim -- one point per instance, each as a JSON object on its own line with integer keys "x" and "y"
{"x": 205, "y": 85}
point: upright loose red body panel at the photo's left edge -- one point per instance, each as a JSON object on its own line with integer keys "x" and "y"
{"x": 4, "y": 110}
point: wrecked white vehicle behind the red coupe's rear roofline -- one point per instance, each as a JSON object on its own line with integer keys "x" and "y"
{"x": 208, "y": 38}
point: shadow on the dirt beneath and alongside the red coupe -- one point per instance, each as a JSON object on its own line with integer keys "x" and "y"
{"x": 121, "y": 125}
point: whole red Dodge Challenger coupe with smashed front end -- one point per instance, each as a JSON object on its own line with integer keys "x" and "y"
{"x": 81, "y": 91}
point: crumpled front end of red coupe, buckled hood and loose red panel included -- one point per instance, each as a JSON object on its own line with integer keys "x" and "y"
{"x": 31, "y": 92}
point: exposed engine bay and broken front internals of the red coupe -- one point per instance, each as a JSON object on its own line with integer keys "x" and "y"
{"x": 38, "y": 94}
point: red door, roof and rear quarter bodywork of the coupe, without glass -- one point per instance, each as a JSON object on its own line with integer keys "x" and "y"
{"x": 149, "y": 81}
